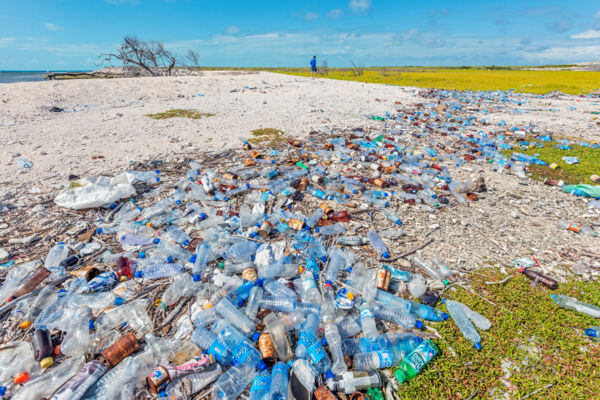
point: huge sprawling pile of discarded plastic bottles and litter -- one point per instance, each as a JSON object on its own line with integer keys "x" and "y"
{"x": 269, "y": 269}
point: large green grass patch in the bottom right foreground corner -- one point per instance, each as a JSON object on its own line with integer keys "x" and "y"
{"x": 529, "y": 332}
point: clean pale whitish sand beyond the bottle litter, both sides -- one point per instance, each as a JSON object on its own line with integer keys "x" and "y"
{"x": 106, "y": 127}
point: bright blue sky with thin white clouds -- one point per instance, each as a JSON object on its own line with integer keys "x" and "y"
{"x": 70, "y": 34}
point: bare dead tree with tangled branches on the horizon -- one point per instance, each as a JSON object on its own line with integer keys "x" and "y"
{"x": 152, "y": 57}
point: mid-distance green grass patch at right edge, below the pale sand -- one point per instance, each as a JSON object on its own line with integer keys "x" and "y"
{"x": 589, "y": 163}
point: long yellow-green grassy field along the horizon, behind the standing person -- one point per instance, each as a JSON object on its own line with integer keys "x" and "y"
{"x": 471, "y": 78}
